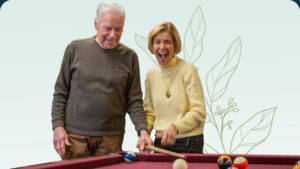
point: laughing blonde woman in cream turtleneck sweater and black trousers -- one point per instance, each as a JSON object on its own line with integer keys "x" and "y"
{"x": 174, "y": 103}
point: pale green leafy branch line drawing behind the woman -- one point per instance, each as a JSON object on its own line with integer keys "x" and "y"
{"x": 250, "y": 132}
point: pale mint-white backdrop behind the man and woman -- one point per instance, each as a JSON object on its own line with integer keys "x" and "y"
{"x": 257, "y": 39}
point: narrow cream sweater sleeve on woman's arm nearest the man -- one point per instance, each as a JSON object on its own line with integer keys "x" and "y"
{"x": 148, "y": 105}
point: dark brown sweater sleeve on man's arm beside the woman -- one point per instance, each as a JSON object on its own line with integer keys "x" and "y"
{"x": 134, "y": 99}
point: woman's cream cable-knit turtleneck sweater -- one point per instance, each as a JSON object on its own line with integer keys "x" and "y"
{"x": 185, "y": 108}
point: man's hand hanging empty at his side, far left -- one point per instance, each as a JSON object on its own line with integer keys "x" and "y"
{"x": 60, "y": 139}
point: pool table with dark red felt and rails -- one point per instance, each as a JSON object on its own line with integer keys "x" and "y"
{"x": 162, "y": 161}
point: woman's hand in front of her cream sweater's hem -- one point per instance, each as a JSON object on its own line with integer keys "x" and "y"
{"x": 168, "y": 136}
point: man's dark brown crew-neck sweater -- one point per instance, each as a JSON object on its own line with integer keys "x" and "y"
{"x": 95, "y": 88}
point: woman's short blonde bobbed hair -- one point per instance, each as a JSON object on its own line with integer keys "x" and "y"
{"x": 165, "y": 27}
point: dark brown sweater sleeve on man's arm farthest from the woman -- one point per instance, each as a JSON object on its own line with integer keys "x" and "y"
{"x": 61, "y": 90}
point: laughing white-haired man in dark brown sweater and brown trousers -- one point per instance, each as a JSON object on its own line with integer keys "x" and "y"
{"x": 98, "y": 83}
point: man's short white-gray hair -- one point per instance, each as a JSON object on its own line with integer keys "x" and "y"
{"x": 113, "y": 7}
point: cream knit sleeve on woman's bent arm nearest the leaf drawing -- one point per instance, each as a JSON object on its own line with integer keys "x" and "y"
{"x": 197, "y": 113}
